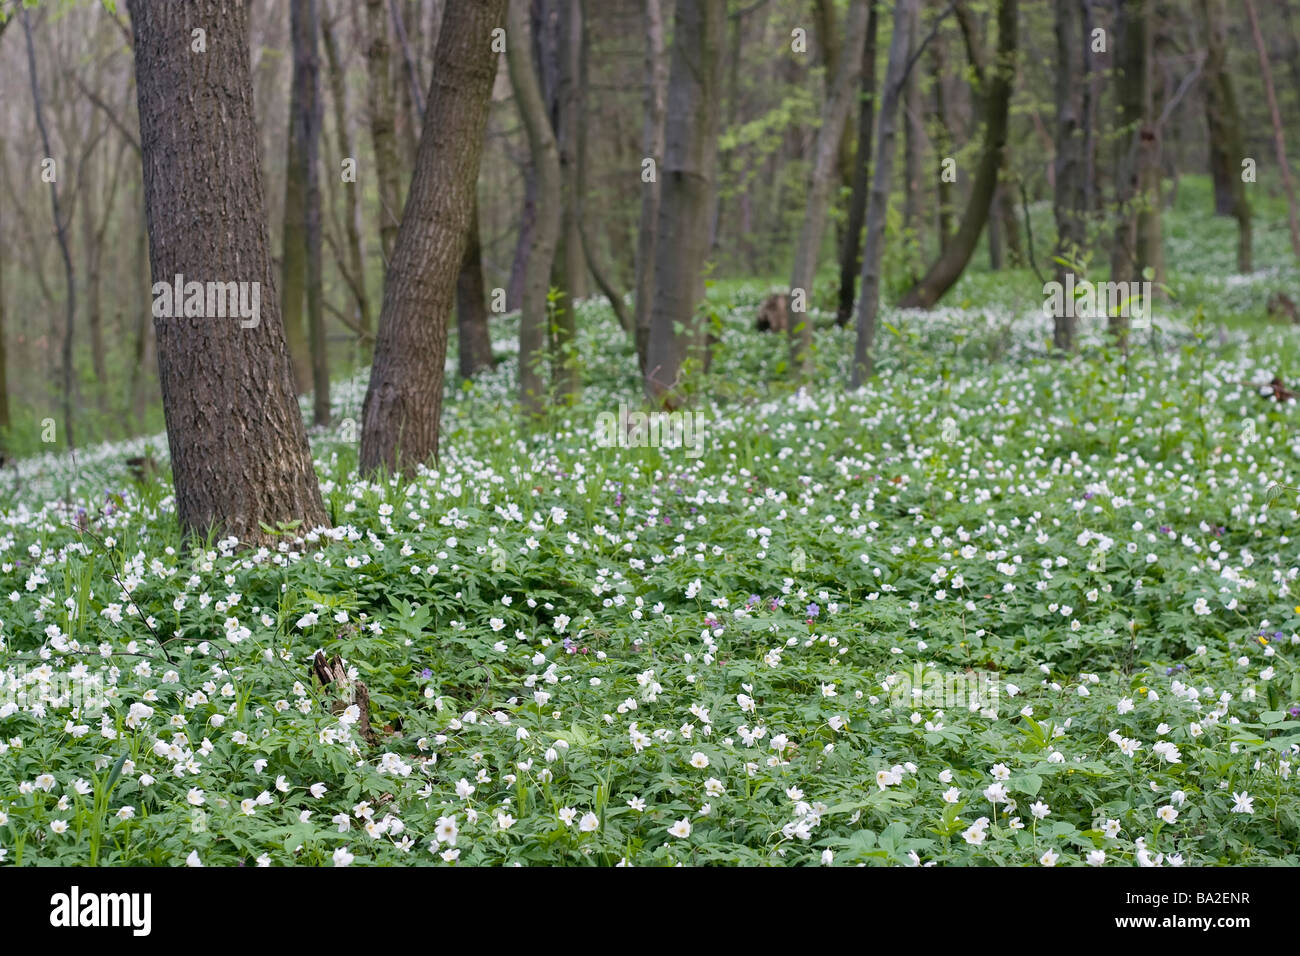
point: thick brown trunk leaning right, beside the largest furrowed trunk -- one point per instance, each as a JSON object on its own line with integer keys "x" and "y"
{"x": 404, "y": 403}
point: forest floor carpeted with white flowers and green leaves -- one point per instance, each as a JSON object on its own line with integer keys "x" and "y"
{"x": 995, "y": 608}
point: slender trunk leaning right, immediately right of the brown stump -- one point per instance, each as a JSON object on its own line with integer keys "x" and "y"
{"x": 826, "y": 154}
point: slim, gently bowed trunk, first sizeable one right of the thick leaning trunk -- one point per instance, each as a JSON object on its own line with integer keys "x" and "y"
{"x": 547, "y": 226}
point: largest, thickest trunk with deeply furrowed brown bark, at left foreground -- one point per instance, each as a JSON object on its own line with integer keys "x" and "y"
{"x": 240, "y": 456}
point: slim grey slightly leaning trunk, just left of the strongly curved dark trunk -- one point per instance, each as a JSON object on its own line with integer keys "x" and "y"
{"x": 869, "y": 304}
